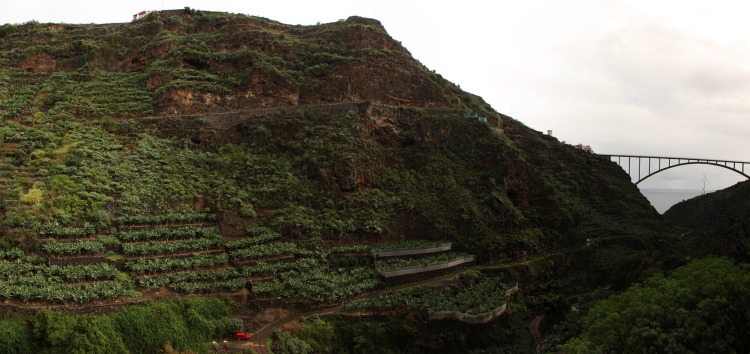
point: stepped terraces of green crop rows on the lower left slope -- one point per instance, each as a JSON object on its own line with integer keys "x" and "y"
{"x": 186, "y": 253}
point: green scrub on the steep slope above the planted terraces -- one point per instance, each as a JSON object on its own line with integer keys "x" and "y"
{"x": 308, "y": 175}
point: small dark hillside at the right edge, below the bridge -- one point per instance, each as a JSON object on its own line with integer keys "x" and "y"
{"x": 718, "y": 222}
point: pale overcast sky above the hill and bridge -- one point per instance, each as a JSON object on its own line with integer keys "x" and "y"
{"x": 668, "y": 78}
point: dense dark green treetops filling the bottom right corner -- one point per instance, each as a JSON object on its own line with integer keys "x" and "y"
{"x": 703, "y": 307}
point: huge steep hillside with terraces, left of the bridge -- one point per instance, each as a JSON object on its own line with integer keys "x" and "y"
{"x": 227, "y": 155}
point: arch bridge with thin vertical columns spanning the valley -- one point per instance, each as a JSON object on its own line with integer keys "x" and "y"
{"x": 647, "y": 166}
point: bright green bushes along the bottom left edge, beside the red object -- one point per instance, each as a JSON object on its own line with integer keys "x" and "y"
{"x": 181, "y": 323}
